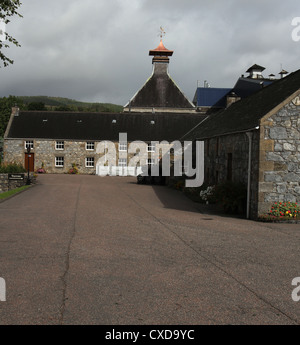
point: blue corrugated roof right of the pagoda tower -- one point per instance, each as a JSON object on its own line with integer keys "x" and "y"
{"x": 208, "y": 97}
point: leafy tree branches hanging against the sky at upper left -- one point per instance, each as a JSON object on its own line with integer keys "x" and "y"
{"x": 8, "y": 9}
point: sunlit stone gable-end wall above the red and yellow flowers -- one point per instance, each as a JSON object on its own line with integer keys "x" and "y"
{"x": 280, "y": 157}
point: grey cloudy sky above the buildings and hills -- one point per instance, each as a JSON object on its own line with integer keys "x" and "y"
{"x": 98, "y": 50}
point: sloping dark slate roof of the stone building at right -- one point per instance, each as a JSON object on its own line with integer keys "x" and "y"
{"x": 245, "y": 114}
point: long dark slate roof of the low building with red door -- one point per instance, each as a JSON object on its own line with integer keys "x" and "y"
{"x": 101, "y": 126}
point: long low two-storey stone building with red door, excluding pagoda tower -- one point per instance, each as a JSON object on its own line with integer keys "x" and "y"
{"x": 60, "y": 139}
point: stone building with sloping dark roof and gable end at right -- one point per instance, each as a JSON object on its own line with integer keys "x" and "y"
{"x": 256, "y": 141}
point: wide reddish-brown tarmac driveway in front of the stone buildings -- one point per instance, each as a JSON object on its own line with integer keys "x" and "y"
{"x": 78, "y": 249}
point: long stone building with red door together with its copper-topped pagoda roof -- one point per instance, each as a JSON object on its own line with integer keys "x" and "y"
{"x": 58, "y": 140}
